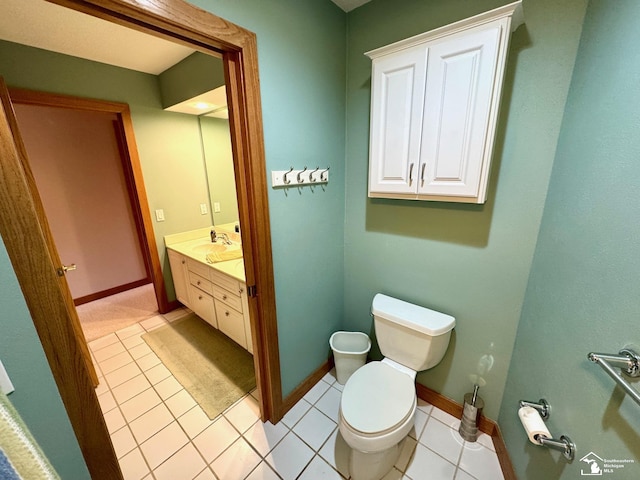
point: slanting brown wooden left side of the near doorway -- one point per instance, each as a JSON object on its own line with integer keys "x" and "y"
{"x": 26, "y": 234}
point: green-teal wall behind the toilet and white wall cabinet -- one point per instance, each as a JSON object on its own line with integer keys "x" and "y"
{"x": 469, "y": 261}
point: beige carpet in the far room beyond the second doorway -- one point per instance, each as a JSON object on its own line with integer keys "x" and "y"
{"x": 109, "y": 314}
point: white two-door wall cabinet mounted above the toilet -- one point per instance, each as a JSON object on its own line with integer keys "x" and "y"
{"x": 434, "y": 107}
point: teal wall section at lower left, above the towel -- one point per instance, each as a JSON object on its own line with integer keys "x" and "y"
{"x": 36, "y": 396}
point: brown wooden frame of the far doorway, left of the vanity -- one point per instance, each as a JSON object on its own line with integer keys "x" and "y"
{"x": 137, "y": 195}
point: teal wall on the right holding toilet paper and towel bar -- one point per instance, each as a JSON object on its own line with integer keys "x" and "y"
{"x": 583, "y": 290}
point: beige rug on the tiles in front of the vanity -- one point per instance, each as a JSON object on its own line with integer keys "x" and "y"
{"x": 214, "y": 369}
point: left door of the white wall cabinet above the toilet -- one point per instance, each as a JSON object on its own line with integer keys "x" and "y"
{"x": 396, "y": 120}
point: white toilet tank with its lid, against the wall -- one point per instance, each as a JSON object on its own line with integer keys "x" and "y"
{"x": 413, "y": 336}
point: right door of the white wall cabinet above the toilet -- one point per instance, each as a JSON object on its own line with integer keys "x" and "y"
{"x": 459, "y": 93}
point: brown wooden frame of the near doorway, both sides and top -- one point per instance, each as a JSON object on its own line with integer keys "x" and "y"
{"x": 177, "y": 21}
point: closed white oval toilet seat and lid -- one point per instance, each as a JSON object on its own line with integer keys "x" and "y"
{"x": 377, "y": 399}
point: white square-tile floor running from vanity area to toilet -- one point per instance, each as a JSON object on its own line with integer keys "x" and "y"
{"x": 159, "y": 432}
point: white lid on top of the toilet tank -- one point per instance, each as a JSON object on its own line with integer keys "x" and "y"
{"x": 412, "y": 316}
